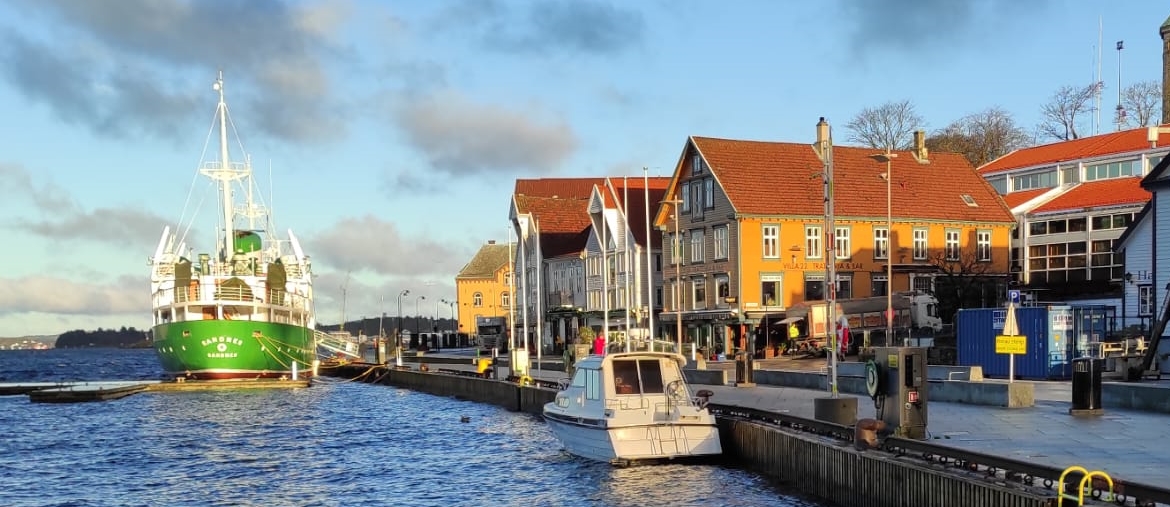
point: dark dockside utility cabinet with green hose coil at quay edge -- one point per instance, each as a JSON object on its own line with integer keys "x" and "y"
{"x": 897, "y": 380}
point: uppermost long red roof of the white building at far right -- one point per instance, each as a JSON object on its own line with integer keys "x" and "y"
{"x": 1126, "y": 141}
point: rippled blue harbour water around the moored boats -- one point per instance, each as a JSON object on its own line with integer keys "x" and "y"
{"x": 334, "y": 444}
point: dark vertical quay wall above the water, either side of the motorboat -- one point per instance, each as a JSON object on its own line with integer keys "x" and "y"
{"x": 828, "y": 469}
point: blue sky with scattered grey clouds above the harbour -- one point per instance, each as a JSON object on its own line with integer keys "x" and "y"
{"x": 389, "y": 135}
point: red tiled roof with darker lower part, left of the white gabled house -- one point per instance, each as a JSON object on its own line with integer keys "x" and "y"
{"x": 561, "y": 209}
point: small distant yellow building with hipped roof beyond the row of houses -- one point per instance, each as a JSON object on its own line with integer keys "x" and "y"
{"x": 483, "y": 286}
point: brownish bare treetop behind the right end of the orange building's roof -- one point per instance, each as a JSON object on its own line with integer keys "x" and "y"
{"x": 982, "y": 136}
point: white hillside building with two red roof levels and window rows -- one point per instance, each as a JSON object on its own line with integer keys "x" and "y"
{"x": 1072, "y": 202}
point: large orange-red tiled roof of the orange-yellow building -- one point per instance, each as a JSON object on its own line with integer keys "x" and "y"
{"x": 783, "y": 180}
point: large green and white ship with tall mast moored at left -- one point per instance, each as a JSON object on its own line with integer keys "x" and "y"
{"x": 243, "y": 310}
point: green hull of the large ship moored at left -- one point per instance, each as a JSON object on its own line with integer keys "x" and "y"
{"x": 216, "y": 350}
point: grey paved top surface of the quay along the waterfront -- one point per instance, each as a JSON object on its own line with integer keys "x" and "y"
{"x": 1130, "y": 446}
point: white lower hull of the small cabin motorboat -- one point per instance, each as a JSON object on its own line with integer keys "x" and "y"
{"x": 634, "y": 443}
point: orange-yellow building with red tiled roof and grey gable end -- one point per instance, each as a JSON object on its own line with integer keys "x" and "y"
{"x": 751, "y": 239}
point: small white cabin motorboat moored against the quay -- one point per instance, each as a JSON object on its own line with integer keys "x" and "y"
{"x": 634, "y": 407}
